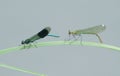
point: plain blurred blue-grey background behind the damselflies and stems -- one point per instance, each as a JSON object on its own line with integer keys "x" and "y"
{"x": 20, "y": 19}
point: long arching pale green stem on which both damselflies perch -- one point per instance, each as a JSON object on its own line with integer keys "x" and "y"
{"x": 56, "y": 43}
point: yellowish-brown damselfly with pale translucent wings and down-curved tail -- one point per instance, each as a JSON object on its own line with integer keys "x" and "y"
{"x": 91, "y": 30}
